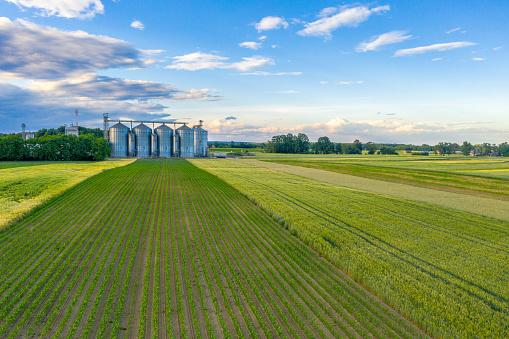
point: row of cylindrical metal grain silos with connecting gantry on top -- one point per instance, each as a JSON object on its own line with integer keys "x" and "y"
{"x": 162, "y": 141}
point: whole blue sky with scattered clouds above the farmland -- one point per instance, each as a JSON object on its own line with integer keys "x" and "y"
{"x": 384, "y": 71}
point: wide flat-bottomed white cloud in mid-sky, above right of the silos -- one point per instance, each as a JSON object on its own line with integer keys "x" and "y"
{"x": 197, "y": 61}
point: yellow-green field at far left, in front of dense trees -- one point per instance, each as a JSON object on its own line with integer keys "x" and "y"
{"x": 25, "y": 185}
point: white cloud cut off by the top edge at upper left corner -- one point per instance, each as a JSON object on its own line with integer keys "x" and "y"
{"x": 83, "y": 9}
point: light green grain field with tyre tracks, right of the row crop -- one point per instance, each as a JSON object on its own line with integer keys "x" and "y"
{"x": 444, "y": 269}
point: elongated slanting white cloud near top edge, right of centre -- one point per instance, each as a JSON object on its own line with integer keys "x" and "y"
{"x": 347, "y": 16}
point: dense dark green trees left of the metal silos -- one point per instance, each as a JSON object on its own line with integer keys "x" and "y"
{"x": 58, "y": 147}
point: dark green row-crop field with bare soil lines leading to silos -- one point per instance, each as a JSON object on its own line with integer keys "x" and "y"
{"x": 160, "y": 248}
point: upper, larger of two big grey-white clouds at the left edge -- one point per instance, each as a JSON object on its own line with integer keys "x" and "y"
{"x": 37, "y": 52}
